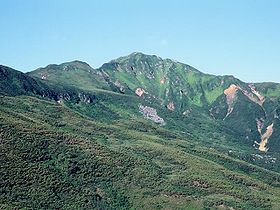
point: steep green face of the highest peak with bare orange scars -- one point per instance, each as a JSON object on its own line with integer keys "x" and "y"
{"x": 179, "y": 87}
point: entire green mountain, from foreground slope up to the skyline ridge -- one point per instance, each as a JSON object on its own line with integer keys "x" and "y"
{"x": 138, "y": 132}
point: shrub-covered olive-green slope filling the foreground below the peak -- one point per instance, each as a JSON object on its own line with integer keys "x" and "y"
{"x": 56, "y": 157}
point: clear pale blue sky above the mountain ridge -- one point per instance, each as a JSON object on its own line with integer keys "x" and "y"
{"x": 237, "y": 37}
